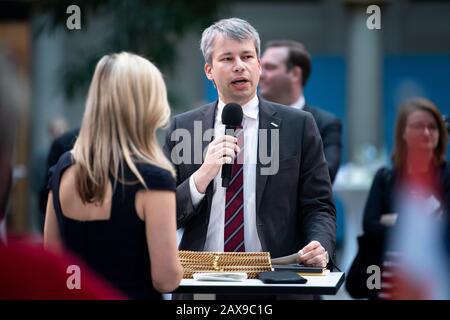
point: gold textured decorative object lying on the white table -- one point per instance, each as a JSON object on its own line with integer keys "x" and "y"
{"x": 203, "y": 261}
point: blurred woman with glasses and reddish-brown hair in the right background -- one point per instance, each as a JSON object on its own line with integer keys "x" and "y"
{"x": 420, "y": 172}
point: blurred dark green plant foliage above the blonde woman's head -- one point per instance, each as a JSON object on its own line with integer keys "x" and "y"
{"x": 150, "y": 28}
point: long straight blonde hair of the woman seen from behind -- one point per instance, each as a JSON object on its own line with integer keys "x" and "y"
{"x": 126, "y": 104}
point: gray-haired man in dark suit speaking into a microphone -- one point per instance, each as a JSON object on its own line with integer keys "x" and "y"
{"x": 288, "y": 200}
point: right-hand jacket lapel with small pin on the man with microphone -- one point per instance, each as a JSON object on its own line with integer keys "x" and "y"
{"x": 268, "y": 121}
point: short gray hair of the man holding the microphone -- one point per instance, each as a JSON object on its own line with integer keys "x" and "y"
{"x": 233, "y": 28}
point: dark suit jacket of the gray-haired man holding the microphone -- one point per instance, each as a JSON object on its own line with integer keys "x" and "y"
{"x": 293, "y": 207}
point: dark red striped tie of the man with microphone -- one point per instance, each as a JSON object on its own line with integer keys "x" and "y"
{"x": 234, "y": 203}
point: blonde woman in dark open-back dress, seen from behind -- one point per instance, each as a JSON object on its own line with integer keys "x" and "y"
{"x": 112, "y": 198}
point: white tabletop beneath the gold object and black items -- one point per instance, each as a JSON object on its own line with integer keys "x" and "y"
{"x": 324, "y": 285}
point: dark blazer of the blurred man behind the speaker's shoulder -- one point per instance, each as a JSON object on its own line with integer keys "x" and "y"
{"x": 330, "y": 129}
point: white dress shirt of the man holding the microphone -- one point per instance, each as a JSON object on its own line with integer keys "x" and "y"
{"x": 215, "y": 234}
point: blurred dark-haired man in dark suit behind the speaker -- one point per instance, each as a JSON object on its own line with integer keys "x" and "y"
{"x": 286, "y": 66}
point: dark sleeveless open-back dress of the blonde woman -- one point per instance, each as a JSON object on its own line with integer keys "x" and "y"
{"x": 115, "y": 248}
